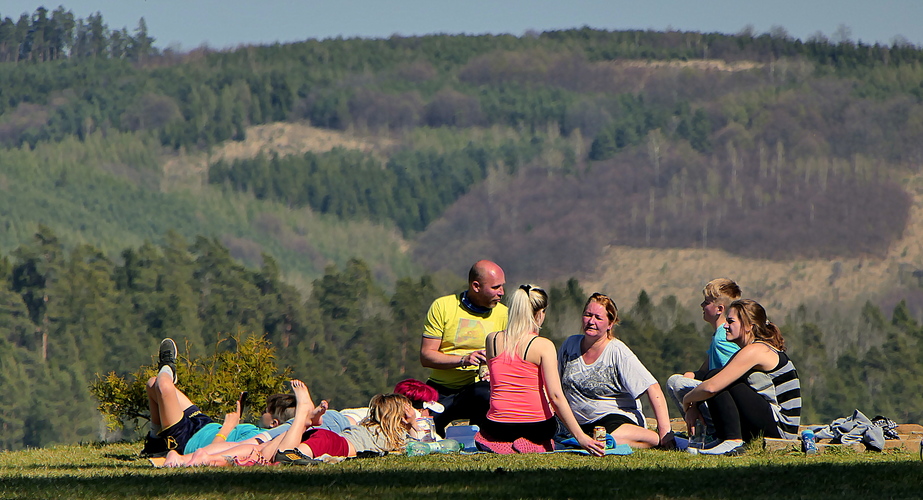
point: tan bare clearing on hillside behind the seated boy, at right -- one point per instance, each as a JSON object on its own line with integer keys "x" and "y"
{"x": 779, "y": 286}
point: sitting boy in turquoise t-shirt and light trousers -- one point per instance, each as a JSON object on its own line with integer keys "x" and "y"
{"x": 718, "y": 293}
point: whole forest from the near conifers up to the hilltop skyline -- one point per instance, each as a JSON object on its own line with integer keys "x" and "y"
{"x": 124, "y": 221}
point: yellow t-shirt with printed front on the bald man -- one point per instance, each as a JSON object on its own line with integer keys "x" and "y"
{"x": 461, "y": 332}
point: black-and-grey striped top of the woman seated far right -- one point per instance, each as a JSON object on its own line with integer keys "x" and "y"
{"x": 783, "y": 392}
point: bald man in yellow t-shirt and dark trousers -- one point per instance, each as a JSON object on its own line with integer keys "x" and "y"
{"x": 454, "y": 340}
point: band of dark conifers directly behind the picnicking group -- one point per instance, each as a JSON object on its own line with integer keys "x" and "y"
{"x": 70, "y": 317}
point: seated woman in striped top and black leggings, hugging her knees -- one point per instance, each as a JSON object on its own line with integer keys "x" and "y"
{"x": 757, "y": 392}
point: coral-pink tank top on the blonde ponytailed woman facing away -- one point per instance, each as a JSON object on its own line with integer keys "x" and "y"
{"x": 517, "y": 390}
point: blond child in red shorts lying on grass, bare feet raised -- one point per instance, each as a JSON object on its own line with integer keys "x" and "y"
{"x": 389, "y": 425}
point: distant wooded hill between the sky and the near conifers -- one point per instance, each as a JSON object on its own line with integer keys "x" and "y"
{"x": 429, "y": 152}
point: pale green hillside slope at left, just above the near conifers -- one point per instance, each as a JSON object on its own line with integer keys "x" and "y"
{"x": 118, "y": 191}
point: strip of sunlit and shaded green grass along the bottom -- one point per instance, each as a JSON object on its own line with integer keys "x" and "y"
{"x": 115, "y": 471}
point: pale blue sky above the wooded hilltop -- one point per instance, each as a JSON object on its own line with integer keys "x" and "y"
{"x": 228, "y": 23}
